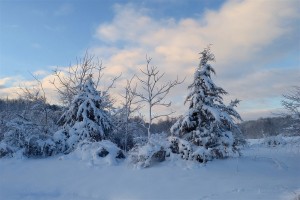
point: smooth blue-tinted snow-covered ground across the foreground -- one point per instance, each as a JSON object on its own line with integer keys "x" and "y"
{"x": 260, "y": 173}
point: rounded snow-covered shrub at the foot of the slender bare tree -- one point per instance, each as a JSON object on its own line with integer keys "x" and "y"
{"x": 155, "y": 150}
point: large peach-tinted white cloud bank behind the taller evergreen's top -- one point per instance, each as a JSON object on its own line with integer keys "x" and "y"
{"x": 242, "y": 32}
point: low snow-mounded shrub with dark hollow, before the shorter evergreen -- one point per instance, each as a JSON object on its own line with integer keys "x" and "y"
{"x": 103, "y": 152}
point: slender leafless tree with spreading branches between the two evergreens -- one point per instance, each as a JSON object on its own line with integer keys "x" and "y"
{"x": 153, "y": 93}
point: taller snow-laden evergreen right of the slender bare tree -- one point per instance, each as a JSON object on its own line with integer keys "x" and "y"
{"x": 209, "y": 123}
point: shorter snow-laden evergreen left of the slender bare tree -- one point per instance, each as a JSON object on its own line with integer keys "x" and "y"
{"x": 86, "y": 119}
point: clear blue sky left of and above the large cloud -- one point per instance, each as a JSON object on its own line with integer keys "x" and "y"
{"x": 39, "y": 33}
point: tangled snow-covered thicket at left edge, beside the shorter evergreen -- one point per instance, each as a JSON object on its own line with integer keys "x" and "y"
{"x": 27, "y": 126}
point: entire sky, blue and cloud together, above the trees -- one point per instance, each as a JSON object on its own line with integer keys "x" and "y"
{"x": 256, "y": 44}
